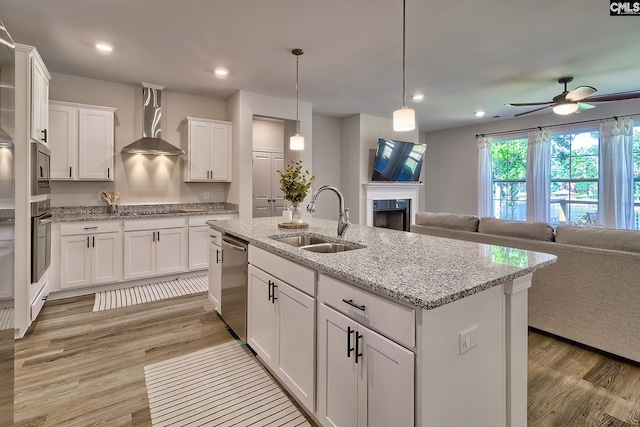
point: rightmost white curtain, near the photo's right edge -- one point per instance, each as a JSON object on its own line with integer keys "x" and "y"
{"x": 615, "y": 182}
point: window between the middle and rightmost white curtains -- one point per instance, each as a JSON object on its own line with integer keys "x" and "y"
{"x": 574, "y": 178}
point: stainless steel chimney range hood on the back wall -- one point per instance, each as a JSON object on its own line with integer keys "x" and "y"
{"x": 151, "y": 141}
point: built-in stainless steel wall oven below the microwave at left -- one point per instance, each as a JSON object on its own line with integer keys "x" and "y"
{"x": 41, "y": 219}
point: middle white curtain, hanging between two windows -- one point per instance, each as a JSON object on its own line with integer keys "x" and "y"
{"x": 538, "y": 175}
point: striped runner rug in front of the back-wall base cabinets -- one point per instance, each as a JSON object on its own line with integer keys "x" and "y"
{"x": 140, "y": 294}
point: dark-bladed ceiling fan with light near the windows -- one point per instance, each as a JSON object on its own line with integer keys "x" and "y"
{"x": 570, "y": 101}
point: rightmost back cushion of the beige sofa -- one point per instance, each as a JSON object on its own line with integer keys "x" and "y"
{"x": 602, "y": 238}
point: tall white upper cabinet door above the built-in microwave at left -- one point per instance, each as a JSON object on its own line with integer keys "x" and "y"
{"x": 39, "y": 99}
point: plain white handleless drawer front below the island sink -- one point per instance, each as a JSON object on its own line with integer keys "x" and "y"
{"x": 296, "y": 275}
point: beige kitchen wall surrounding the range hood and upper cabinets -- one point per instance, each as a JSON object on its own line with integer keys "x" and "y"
{"x": 138, "y": 179}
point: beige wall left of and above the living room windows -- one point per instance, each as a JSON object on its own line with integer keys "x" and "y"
{"x": 451, "y": 165}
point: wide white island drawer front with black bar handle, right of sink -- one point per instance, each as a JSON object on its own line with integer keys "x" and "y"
{"x": 395, "y": 321}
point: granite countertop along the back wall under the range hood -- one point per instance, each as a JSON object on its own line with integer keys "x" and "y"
{"x": 100, "y": 213}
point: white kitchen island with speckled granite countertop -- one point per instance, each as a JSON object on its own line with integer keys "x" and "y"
{"x": 457, "y": 311}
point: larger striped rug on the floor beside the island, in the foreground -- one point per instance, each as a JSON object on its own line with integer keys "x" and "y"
{"x": 219, "y": 386}
